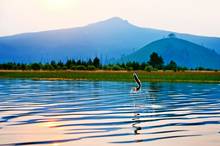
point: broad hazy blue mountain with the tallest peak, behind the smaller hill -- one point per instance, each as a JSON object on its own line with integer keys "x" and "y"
{"x": 106, "y": 39}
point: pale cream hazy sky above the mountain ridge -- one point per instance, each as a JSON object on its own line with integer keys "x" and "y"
{"x": 200, "y": 17}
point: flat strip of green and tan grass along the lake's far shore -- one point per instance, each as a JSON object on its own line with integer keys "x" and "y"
{"x": 187, "y": 76}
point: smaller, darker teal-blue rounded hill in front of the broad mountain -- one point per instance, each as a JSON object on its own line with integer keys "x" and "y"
{"x": 183, "y": 52}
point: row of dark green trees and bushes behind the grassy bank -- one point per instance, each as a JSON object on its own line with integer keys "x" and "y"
{"x": 155, "y": 63}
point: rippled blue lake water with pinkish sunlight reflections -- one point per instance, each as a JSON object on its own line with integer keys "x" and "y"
{"x": 82, "y": 113}
